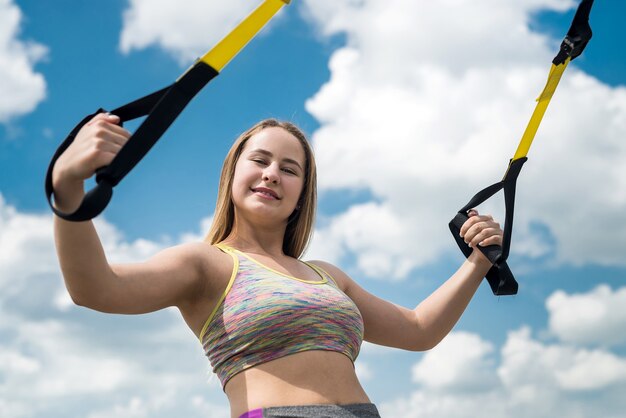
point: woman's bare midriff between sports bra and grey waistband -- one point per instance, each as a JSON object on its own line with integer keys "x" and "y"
{"x": 306, "y": 378}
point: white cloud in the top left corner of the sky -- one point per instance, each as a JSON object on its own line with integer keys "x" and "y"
{"x": 21, "y": 88}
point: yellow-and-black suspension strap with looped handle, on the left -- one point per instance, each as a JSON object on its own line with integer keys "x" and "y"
{"x": 162, "y": 108}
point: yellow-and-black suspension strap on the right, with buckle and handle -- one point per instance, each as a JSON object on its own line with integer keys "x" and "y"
{"x": 499, "y": 276}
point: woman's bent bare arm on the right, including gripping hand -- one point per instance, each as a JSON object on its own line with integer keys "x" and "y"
{"x": 425, "y": 326}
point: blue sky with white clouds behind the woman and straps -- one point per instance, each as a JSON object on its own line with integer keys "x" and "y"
{"x": 412, "y": 106}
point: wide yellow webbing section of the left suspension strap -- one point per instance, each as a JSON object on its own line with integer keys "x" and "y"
{"x": 234, "y": 42}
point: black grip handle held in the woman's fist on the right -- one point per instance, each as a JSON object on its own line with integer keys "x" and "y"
{"x": 500, "y": 277}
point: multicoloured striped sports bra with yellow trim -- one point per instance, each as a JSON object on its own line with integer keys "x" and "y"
{"x": 264, "y": 315}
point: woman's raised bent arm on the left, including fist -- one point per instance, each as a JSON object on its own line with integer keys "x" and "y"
{"x": 170, "y": 278}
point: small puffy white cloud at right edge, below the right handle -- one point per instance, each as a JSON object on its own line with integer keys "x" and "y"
{"x": 594, "y": 318}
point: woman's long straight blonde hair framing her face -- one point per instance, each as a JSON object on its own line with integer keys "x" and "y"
{"x": 300, "y": 225}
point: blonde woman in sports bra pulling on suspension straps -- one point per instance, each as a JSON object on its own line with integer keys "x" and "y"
{"x": 282, "y": 335}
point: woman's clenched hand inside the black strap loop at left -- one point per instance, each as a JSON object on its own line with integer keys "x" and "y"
{"x": 95, "y": 146}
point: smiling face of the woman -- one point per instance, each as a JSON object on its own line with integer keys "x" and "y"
{"x": 269, "y": 176}
